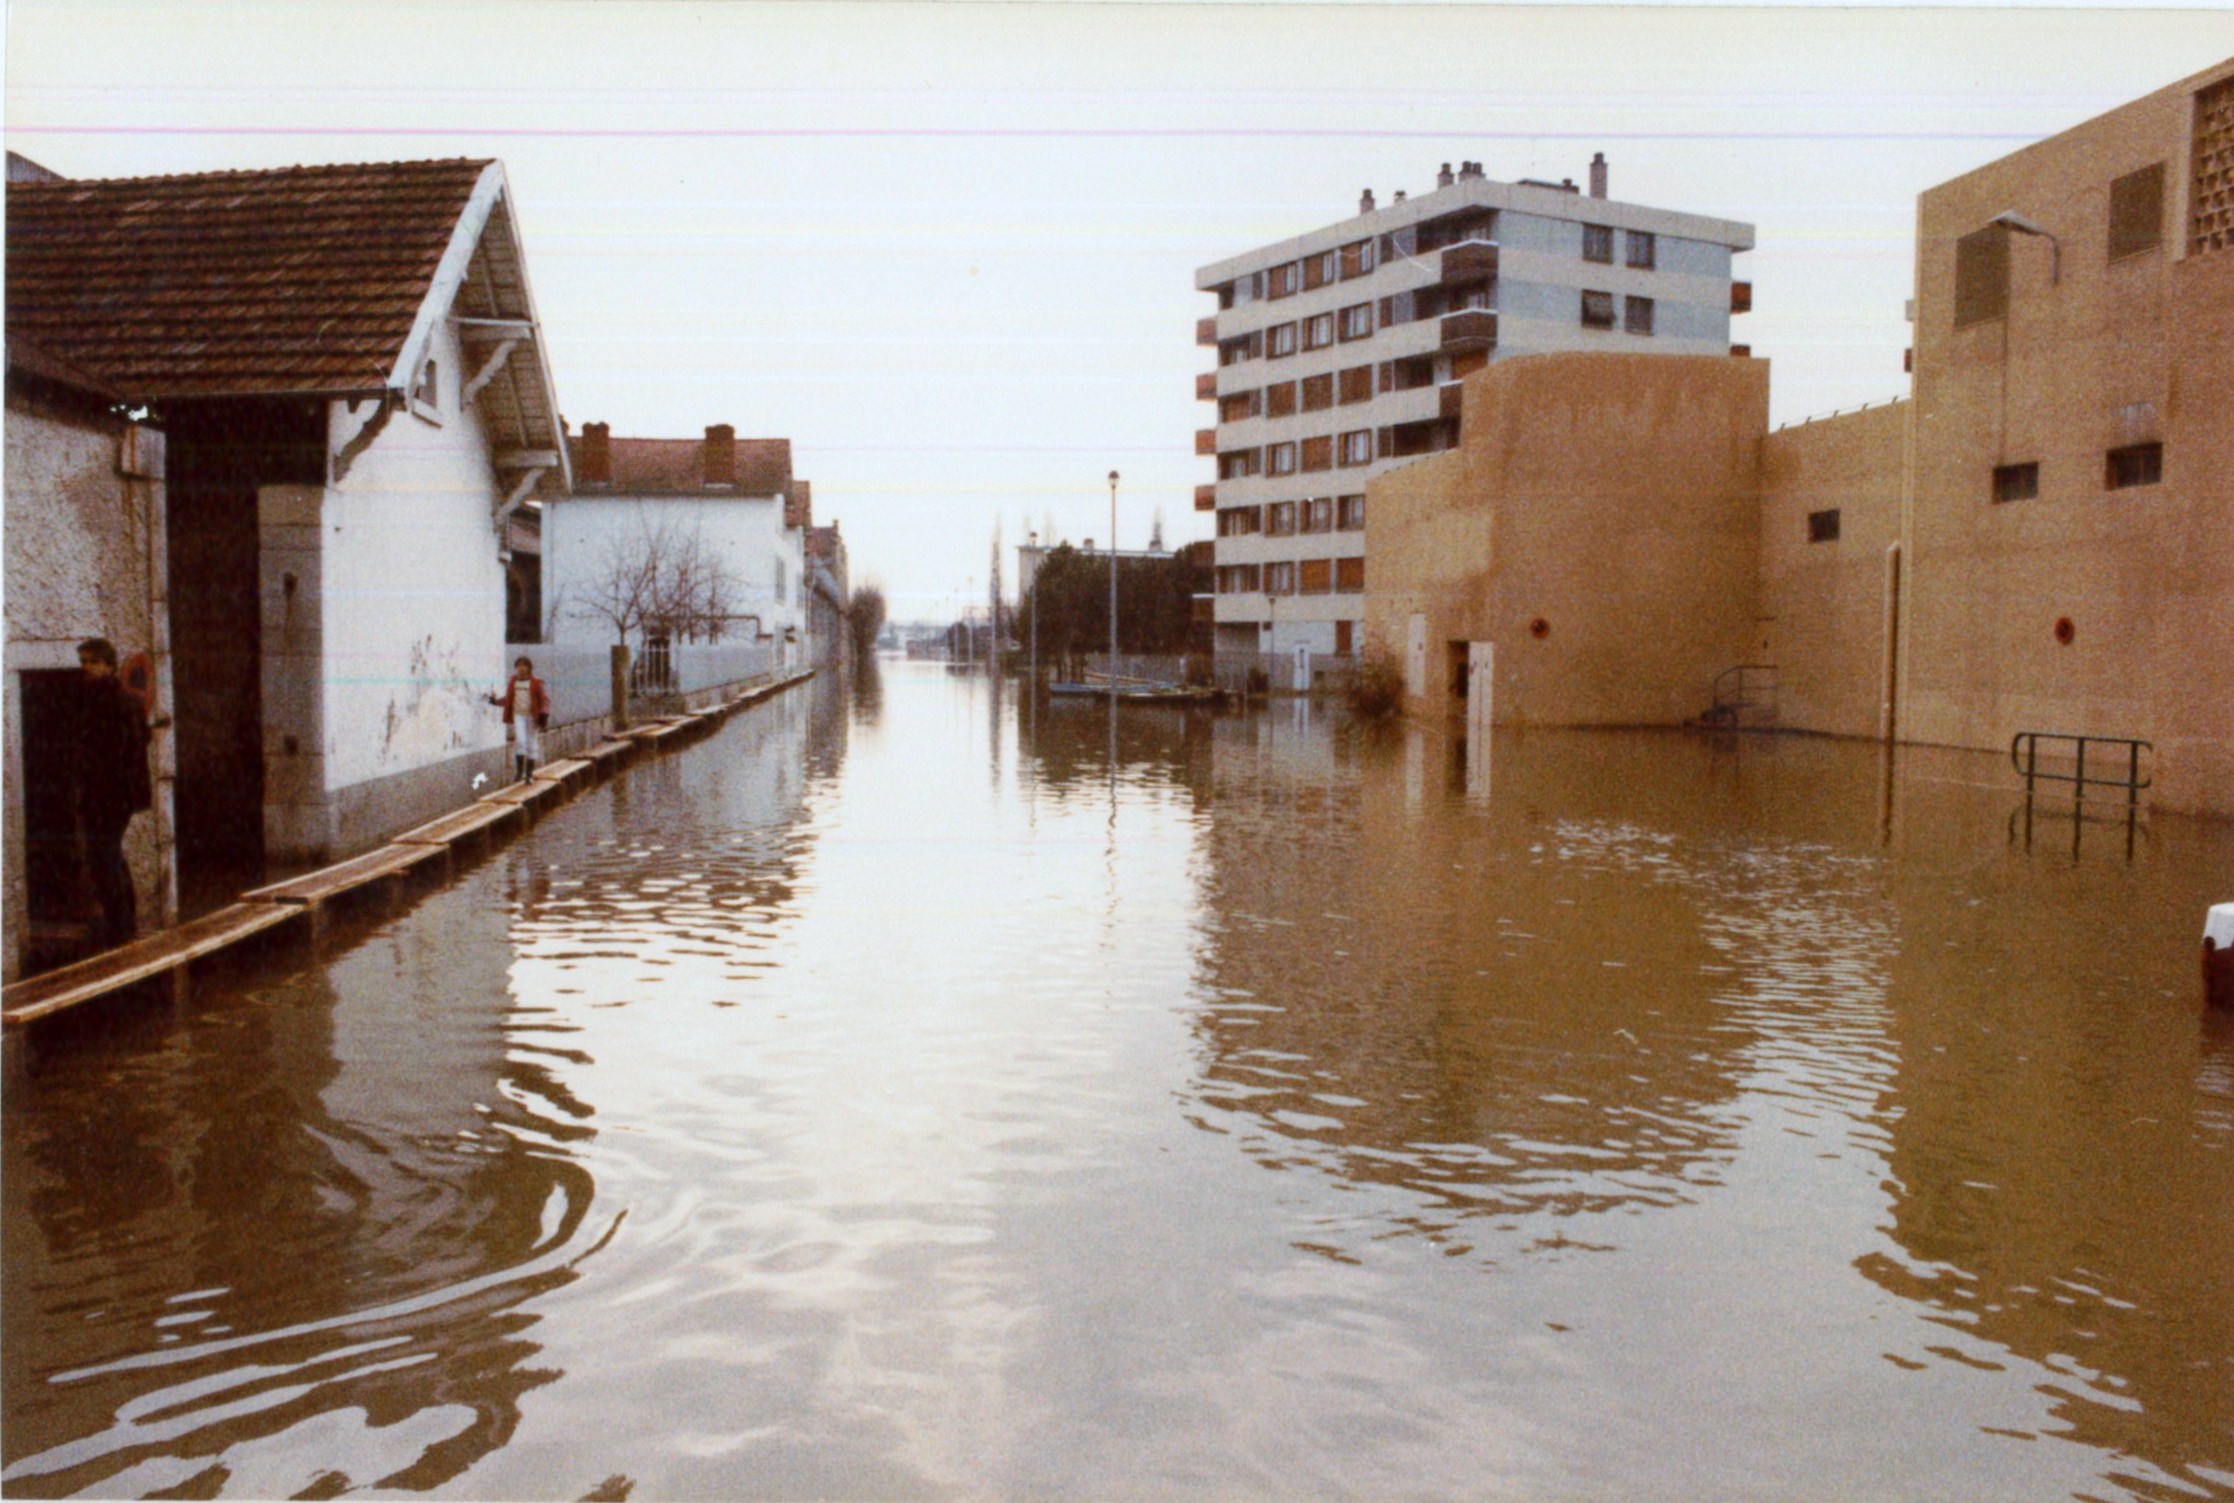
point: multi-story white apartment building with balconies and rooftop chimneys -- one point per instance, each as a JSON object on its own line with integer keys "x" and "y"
{"x": 1342, "y": 354}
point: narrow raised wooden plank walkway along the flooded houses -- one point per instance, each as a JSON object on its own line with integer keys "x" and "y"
{"x": 178, "y": 948}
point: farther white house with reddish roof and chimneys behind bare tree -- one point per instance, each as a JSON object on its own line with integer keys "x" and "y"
{"x": 718, "y": 519}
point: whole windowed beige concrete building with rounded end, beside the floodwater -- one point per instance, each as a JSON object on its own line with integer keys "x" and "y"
{"x": 2041, "y": 539}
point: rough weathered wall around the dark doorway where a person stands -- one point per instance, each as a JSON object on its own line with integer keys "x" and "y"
{"x": 86, "y": 557}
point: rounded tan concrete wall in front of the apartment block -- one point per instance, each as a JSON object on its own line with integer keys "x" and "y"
{"x": 1612, "y": 497}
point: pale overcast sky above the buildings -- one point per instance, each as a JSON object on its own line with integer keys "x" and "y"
{"x": 948, "y": 251}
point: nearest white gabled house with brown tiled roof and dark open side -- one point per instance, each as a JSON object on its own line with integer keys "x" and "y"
{"x": 354, "y": 394}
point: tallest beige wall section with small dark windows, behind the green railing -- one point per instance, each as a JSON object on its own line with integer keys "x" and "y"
{"x": 2099, "y": 356}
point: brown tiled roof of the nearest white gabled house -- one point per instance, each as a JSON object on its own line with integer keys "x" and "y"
{"x": 296, "y": 280}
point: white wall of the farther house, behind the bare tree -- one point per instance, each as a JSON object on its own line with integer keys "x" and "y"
{"x": 765, "y": 559}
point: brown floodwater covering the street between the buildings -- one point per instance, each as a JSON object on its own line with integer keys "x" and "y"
{"x": 892, "y": 1098}
